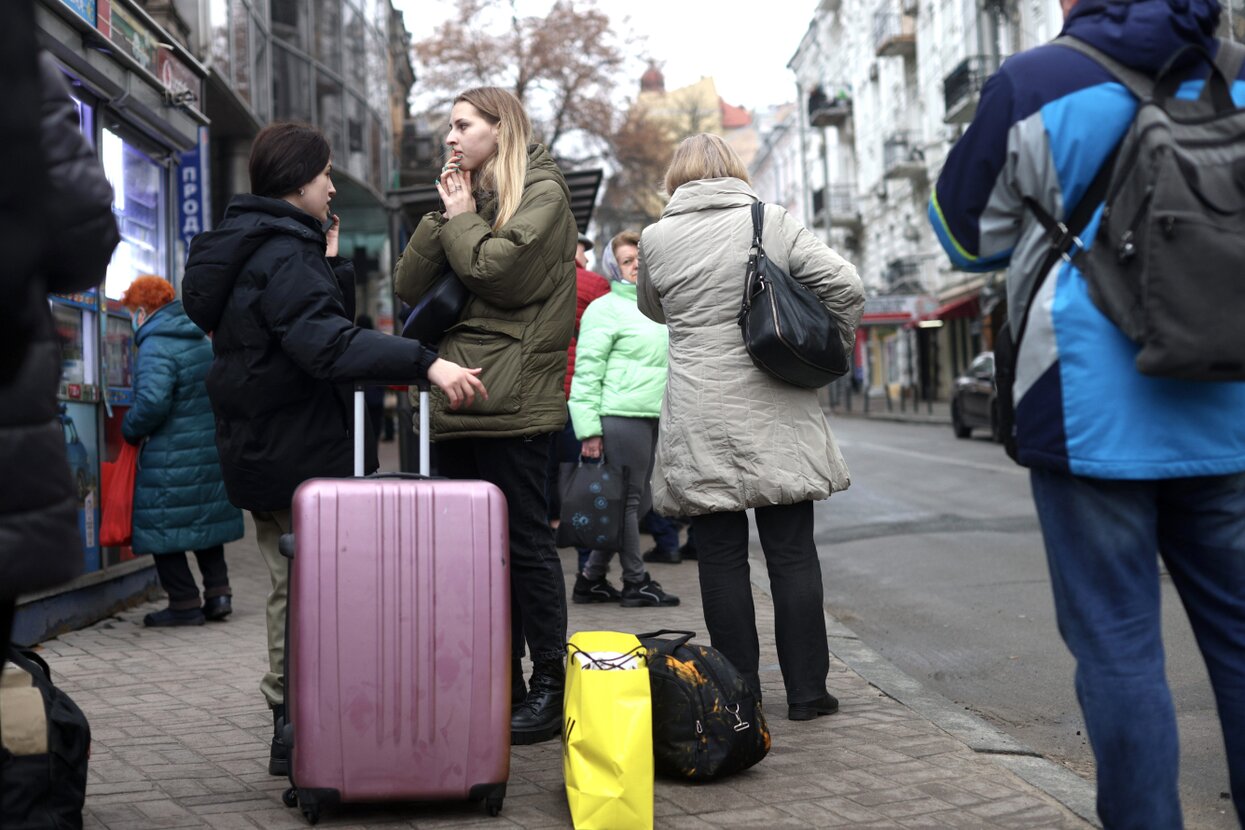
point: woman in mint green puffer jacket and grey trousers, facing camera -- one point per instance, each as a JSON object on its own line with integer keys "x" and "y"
{"x": 616, "y": 400}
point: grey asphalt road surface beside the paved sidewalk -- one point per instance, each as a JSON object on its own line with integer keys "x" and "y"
{"x": 934, "y": 559}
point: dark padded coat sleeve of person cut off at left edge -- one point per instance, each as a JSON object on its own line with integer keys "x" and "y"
{"x": 79, "y": 200}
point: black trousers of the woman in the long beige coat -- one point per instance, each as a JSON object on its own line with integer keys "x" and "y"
{"x": 795, "y": 581}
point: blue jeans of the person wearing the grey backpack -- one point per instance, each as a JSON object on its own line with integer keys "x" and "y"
{"x": 1101, "y": 538}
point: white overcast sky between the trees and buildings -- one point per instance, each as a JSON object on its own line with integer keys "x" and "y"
{"x": 744, "y": 47}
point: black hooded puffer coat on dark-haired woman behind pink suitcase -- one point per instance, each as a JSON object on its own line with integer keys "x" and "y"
{"x": 287, "y": 350}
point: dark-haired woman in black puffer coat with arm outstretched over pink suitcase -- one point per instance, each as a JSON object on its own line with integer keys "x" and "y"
{"x": 280, "y": 302}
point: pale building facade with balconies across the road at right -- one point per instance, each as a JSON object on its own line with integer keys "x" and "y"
{"x": 887, "y": 89}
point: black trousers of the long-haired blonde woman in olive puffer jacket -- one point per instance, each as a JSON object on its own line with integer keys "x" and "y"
{"x": 538, "y": 592}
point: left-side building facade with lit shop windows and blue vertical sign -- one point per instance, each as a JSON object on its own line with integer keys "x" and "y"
{"x": 171, "y": 94}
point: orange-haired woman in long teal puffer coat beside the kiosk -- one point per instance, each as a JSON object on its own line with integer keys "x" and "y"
{"x": 180, "y": 497}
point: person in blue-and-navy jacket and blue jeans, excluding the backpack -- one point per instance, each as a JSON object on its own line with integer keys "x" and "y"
{"x": 1122, "y": 465}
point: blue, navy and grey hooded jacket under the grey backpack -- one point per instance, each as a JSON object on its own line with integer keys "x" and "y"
{"x": 1046, "y": 123}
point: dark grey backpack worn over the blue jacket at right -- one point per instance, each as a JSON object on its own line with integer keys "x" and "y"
{"x": 1168, "y": 264}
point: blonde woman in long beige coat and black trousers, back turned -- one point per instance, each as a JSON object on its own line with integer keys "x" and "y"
{"x": 734, "y": 439}
